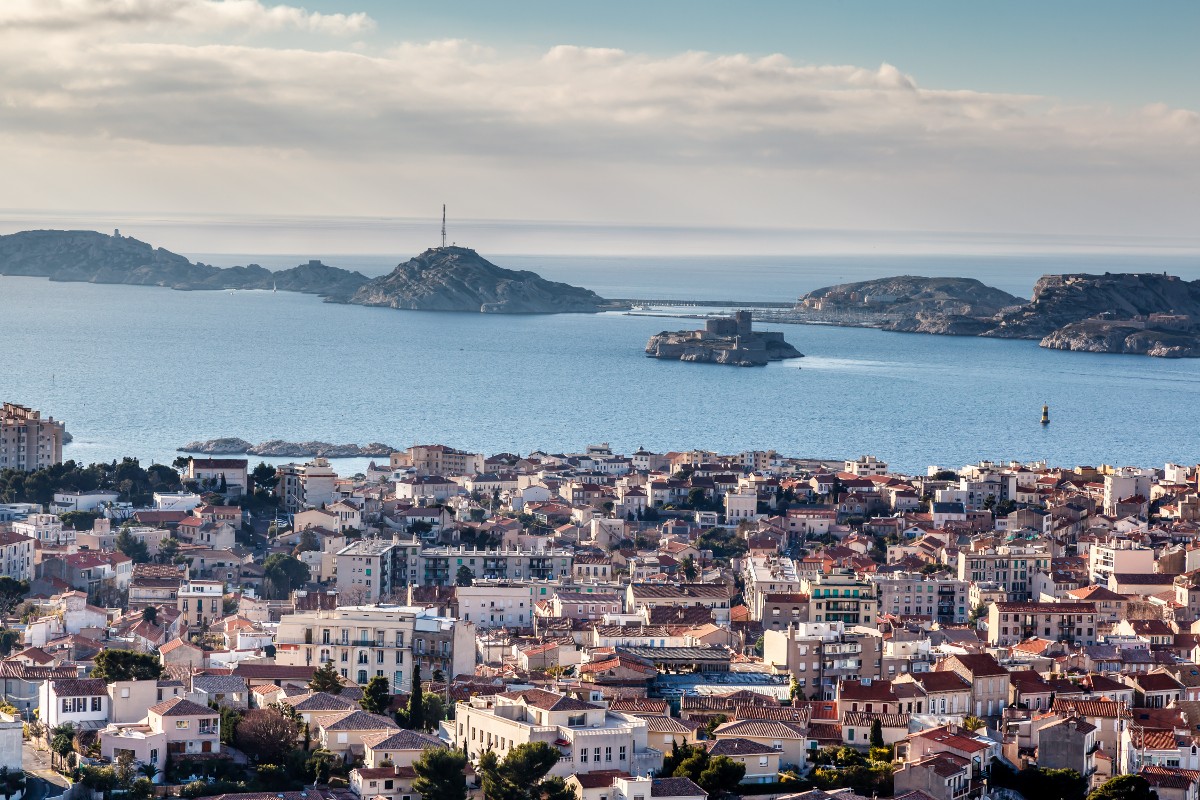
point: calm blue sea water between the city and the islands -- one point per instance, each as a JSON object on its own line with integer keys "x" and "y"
{"x": 141, "y": 371}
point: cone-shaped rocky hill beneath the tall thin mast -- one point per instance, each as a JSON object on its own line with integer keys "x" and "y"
{"x": 459, "y": 279}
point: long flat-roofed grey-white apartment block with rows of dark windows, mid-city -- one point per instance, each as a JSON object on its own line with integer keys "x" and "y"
{"x": 439, "y": 567}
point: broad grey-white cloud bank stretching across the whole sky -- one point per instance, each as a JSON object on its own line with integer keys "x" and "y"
{"x": 572, "y": 131}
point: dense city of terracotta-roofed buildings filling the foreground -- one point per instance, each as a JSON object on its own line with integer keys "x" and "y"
{"x": 692, "y": 624}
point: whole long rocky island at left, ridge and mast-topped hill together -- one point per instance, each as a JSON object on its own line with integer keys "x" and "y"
{"x": 442, "y": 279}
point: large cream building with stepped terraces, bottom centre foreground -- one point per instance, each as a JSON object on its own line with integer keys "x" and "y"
{"x": 590, "y": 737}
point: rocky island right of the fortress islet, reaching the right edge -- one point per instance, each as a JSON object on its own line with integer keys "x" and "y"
{"x": 1132, "y": 314}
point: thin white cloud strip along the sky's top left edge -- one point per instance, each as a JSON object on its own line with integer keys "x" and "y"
{"x": 247, "y": 16}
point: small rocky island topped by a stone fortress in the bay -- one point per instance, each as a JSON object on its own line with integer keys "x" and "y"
{"x": 724, "y": 340}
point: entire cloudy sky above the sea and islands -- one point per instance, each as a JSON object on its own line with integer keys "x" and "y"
{"x": 1015, "y": 122}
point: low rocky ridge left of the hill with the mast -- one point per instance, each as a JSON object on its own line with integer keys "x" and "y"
{"x": 92, "y": 257}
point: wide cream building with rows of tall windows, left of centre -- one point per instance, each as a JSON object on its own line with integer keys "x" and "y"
{"x": 369, "y": 641}
